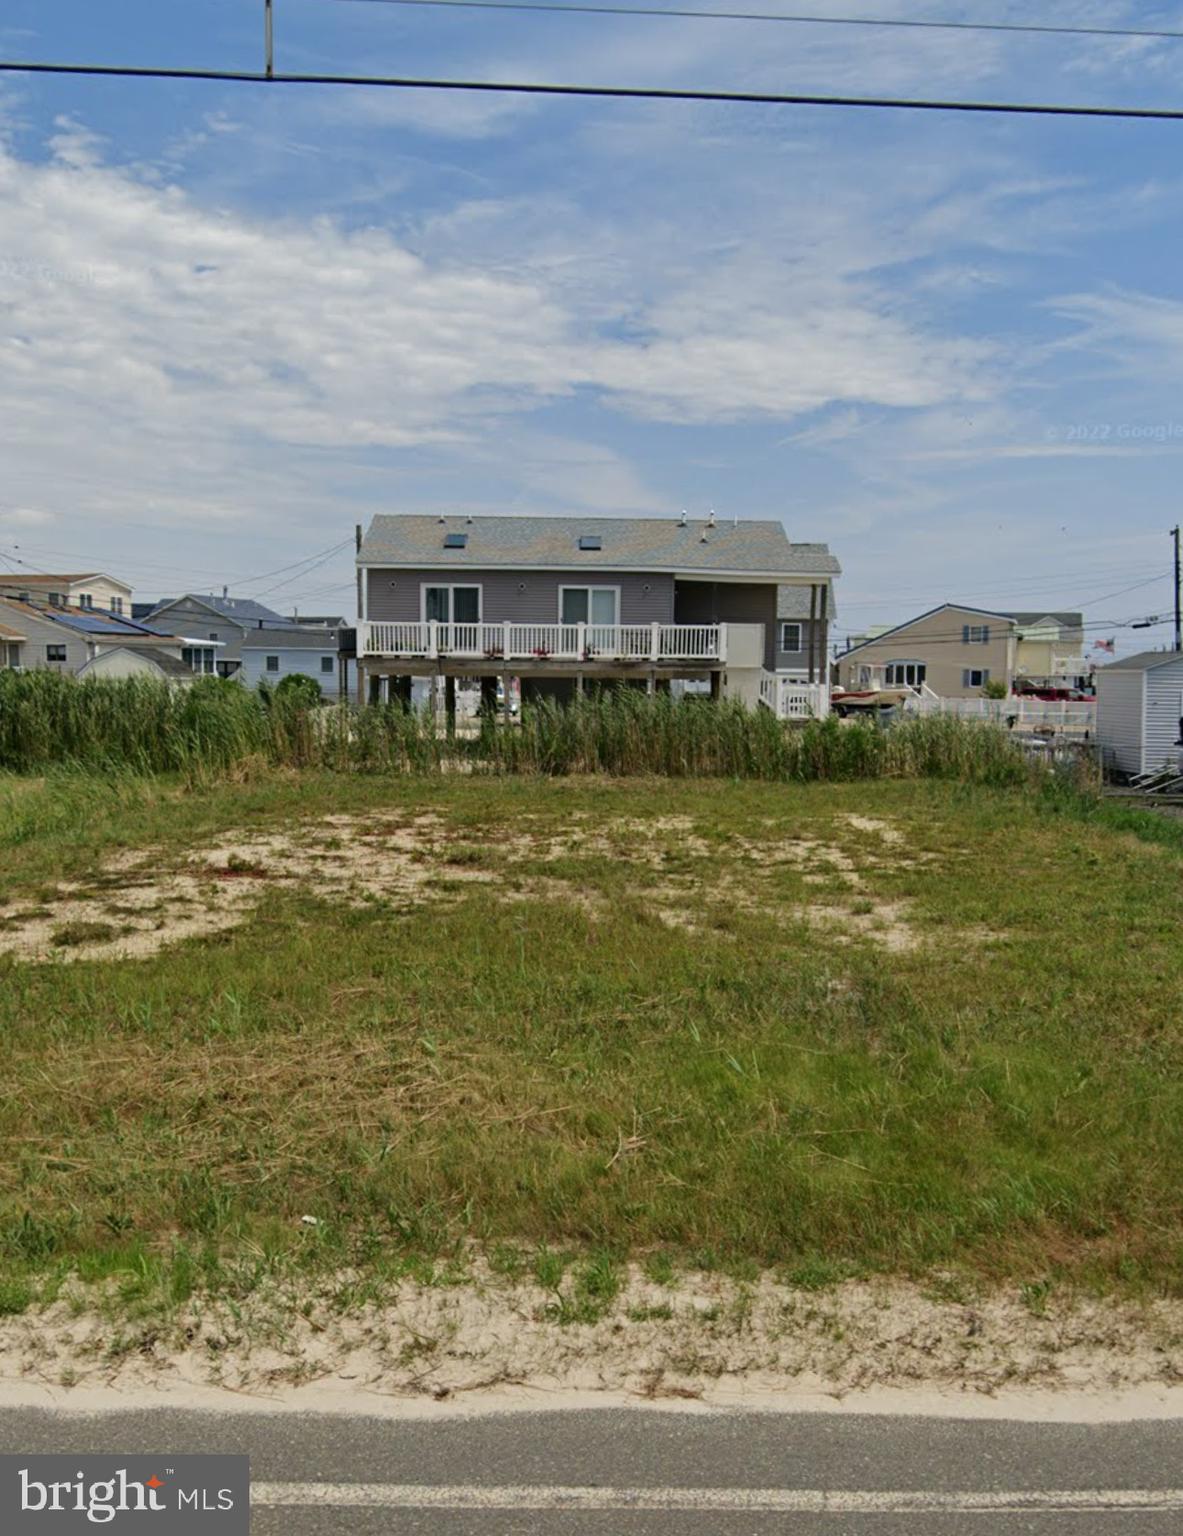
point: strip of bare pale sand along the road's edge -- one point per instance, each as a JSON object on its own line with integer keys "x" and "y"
{"x": 707, "y": 1336}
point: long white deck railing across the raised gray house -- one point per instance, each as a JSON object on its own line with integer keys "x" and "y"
{"x": 588, "y": 643}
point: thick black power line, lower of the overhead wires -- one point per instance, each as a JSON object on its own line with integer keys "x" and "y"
{"x": 617, "y": 93}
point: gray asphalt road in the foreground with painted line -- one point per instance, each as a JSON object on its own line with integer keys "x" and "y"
{"x": 652, "y": 1474}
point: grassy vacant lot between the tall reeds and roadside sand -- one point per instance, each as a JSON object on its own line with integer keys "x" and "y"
{"x": 824, "y": 1028}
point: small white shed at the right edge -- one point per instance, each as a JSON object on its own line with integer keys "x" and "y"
{"x": 1139, "y": 712}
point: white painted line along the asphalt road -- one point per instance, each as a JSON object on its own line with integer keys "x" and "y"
{"x": 778, "y": 1501}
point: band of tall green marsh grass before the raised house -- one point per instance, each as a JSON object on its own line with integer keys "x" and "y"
{"x": 214, "y": 727}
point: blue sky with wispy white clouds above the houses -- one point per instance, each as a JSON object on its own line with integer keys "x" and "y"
{"x": 239, "y": 320}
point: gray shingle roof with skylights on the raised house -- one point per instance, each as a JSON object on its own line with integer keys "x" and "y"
{"x": 751, "y": 546}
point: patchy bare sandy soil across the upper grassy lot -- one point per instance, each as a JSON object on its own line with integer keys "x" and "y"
{"x": 145, "y": 901}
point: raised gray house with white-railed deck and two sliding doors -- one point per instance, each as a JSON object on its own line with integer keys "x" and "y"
{"x": 555, "y": 601}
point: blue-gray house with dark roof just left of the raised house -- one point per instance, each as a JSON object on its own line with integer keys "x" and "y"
{"x": 244, "y": 629}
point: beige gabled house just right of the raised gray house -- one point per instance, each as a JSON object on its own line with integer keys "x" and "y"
{"x": 953, "y": 650}
